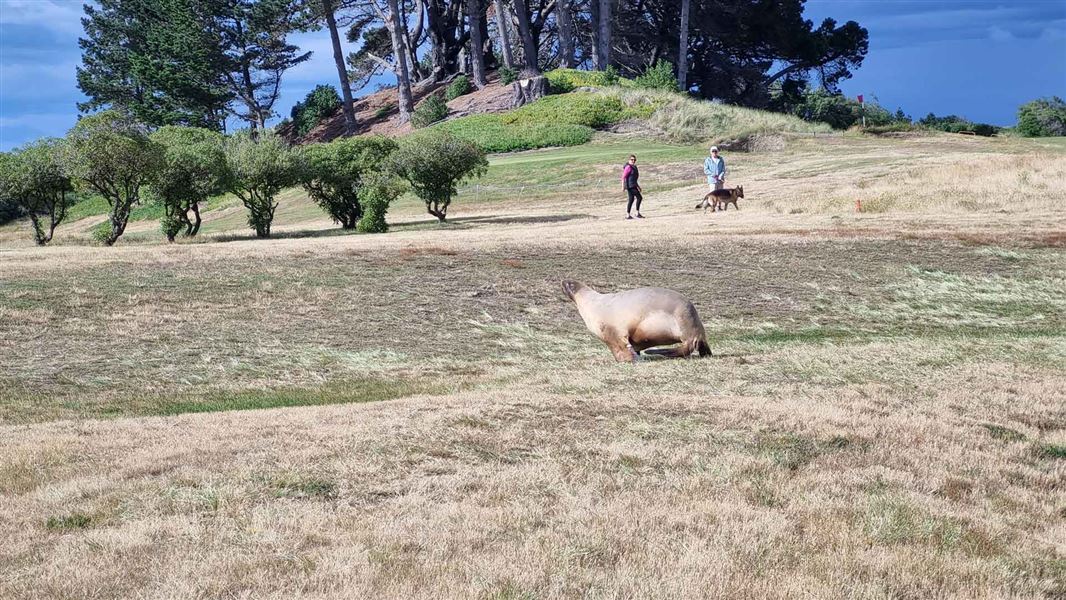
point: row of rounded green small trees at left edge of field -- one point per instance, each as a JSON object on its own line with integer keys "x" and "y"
{"x": 109, "y": 154}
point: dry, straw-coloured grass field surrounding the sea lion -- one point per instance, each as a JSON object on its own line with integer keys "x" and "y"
{"x": 424, "y": 415}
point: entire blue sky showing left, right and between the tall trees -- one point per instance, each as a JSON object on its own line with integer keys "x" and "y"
{"x": 978, "y": 59}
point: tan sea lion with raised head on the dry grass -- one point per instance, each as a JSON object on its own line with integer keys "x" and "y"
{"x": 636, "y": 320}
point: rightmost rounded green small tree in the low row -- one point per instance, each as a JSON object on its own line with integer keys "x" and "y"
{"x": 434, "y": 164}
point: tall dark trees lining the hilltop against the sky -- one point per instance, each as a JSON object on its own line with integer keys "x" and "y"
{"x": 200, "y": 62}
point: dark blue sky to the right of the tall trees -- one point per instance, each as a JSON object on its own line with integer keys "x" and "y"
{"x": 977, "y": 59}
